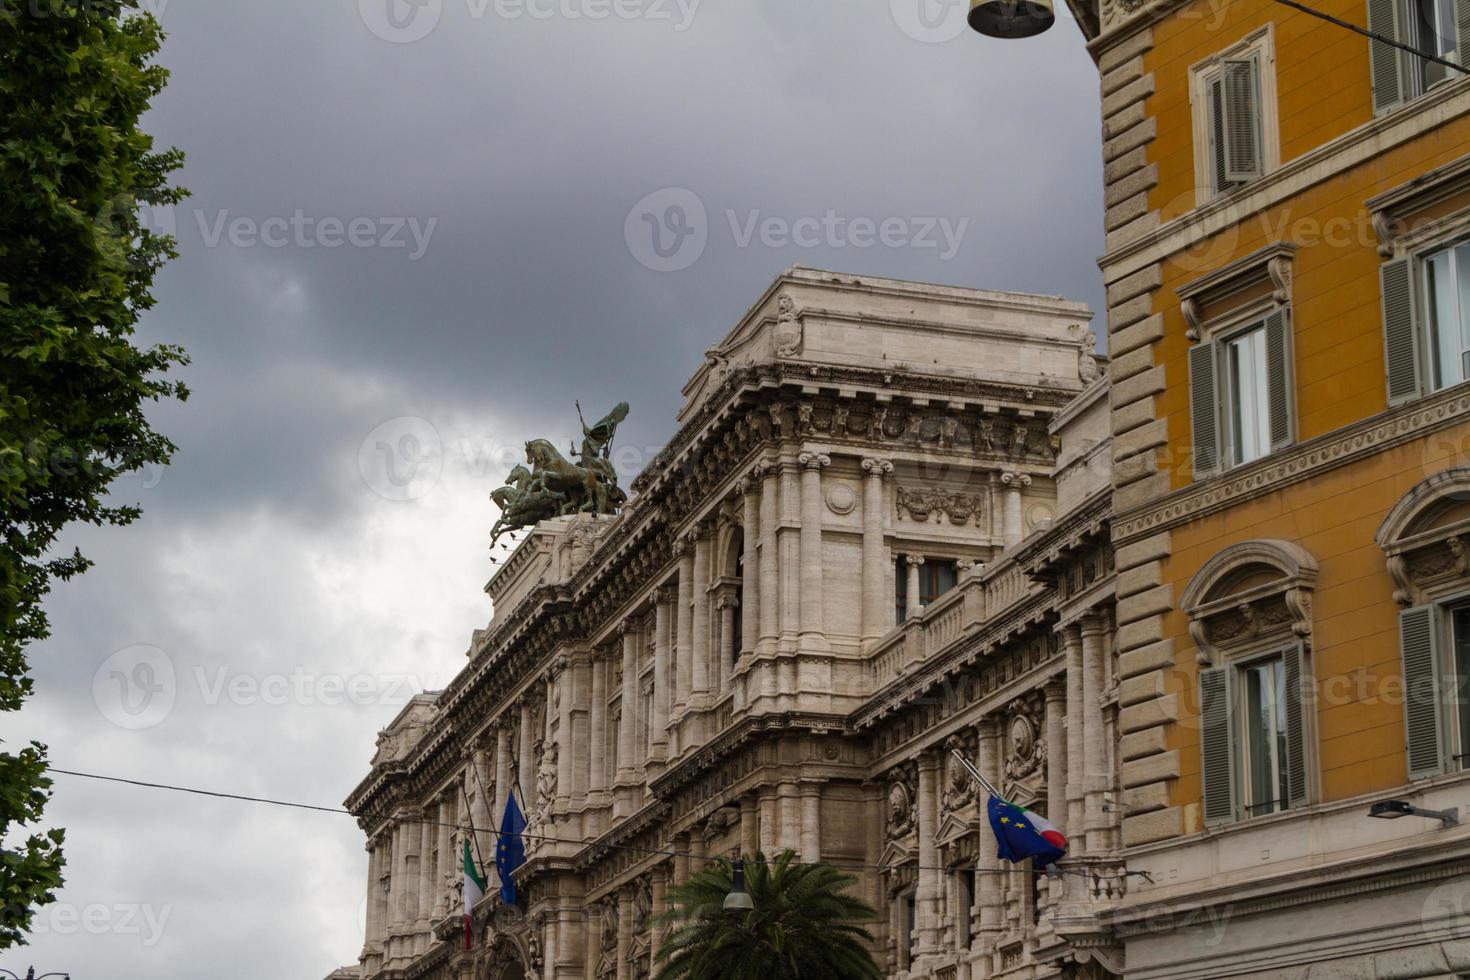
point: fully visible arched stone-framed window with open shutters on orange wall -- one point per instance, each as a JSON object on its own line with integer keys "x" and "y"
{"x": 1250, "y": 618}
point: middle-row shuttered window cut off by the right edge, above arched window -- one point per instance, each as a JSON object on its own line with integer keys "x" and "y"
{"x": 1427, "y": 321}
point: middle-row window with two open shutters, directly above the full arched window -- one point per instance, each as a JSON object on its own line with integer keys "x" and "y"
{"x": 1243, "y": 394}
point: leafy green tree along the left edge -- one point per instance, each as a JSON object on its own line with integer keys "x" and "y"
{"x": 77, "y": 268}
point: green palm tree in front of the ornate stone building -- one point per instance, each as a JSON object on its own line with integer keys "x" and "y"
{"x": 802, "y": 928}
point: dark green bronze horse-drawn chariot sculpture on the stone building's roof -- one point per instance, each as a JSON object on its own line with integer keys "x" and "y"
{"x": 556, "y": 487}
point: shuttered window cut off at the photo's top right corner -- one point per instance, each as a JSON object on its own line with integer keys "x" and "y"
{"x": 1433, "y": 27}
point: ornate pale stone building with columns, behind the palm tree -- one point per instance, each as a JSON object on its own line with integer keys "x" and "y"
{"x": 881, "y": 533}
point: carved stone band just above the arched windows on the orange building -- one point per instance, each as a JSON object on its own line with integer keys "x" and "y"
{"x": 1294, "y": 465}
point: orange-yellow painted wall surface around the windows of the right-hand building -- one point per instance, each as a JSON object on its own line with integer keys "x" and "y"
{"x": 1324, "y": 92}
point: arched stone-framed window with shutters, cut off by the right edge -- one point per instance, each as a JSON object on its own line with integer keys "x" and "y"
{"x": 1427, "y": 541}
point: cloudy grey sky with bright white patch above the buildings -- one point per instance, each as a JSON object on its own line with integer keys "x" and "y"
{"x": 417, "y": 236}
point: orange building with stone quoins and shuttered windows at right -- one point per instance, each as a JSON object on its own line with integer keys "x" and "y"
{"x": 1288, "y": 274}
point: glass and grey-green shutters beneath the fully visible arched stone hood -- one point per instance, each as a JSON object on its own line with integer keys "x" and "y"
{"x": 1255, "y": 752}
